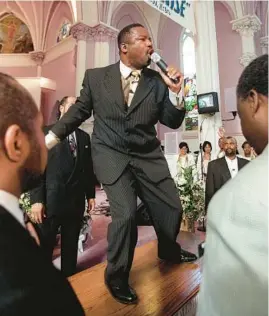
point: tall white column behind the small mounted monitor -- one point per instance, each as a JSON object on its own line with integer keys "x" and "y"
{"x": 207, "y": 72}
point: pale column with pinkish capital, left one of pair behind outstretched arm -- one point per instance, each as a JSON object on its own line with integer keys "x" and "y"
{"x": 80, "y": 32}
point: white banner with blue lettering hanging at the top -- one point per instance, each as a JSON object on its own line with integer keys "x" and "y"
{"x": 180, "y": 11}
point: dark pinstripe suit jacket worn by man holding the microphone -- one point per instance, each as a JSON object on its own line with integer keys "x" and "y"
{"x": 120, "y": 135}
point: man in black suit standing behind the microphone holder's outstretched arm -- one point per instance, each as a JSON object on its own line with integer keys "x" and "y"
{"x": 60, "y": 197}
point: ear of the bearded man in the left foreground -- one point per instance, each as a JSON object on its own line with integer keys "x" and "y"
{"x": 16, "y": 144}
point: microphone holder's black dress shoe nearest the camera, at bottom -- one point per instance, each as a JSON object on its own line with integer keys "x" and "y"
{"x": 122, "y": 293}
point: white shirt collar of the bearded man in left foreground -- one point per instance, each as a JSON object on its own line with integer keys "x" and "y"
{"x": 11, "y": 203}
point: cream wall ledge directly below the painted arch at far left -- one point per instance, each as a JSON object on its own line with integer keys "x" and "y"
{"x": 16, "y": 60}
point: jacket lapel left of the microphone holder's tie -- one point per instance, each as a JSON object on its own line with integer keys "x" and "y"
{"x": 112, "y": 84}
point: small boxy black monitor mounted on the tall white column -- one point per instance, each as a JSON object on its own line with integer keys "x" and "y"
{"x": 208, "y": 103}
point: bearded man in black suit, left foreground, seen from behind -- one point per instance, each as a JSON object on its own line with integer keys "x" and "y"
{"x": 29, "y": 283}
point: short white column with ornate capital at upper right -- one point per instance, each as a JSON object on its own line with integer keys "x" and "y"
{"x": 246, "y": 27}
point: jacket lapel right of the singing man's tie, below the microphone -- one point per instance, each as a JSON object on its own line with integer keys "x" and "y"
{"x": 144, "y": 87}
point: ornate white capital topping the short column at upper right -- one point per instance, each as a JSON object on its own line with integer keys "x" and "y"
{"x": 247, "y": 25}
